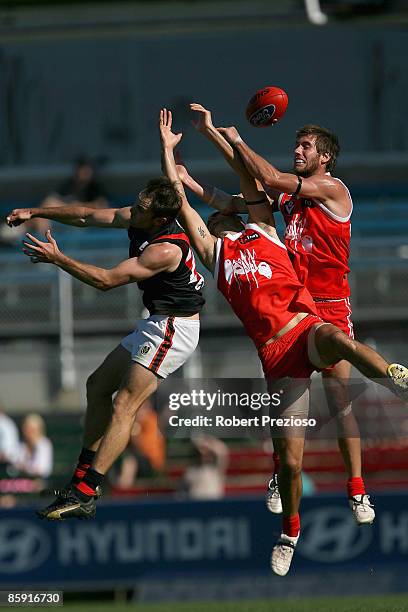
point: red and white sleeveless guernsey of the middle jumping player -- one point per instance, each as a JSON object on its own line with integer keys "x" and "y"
{"x": 254, "y": 273}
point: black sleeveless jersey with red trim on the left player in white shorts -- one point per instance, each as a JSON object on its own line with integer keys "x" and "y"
{"x": 169, "y": 293}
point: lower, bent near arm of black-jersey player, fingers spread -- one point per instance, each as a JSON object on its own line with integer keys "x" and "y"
{"x": 163, "y": 257}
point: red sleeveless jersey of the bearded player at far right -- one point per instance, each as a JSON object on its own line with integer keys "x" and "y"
{"x": 319, "y": 245}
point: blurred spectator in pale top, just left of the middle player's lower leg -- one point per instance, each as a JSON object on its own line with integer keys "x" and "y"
{"x": 205, "y": 479}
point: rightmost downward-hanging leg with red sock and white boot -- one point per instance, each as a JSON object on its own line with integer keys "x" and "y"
{"x": 335, "y": 384}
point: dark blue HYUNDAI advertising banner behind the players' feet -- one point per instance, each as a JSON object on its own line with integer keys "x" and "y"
{"x": 137, "y": 541}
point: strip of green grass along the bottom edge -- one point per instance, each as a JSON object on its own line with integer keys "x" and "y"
{"x": 380, "y": 603}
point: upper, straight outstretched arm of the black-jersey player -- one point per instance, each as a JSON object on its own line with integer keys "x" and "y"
{"x": 78, "y": 216}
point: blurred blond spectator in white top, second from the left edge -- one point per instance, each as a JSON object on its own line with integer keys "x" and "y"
{"x": 35, "y": 456}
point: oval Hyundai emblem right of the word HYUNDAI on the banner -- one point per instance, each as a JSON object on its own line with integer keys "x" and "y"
{"x": 330, "y": 535}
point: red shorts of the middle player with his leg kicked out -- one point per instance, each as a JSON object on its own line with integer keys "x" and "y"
{"x": 288, "y": 355}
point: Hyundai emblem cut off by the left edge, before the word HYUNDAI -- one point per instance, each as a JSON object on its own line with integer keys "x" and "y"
{"x": 23, "y": 546}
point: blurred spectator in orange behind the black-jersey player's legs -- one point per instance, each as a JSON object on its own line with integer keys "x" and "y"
{"x": 146, "y": 453}
